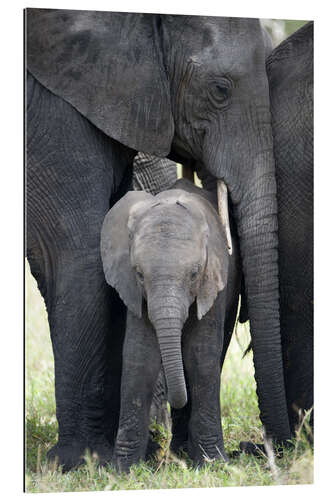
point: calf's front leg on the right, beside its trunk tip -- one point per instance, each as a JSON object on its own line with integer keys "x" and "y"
{"x": 202, "y": 347}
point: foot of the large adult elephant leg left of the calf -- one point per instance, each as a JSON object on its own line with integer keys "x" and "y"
{"x": 68, "y": 456}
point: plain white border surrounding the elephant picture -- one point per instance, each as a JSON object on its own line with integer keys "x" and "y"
{"x": 11, "y": 402}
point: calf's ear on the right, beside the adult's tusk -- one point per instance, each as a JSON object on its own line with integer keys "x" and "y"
{"x": 215, "y": 276}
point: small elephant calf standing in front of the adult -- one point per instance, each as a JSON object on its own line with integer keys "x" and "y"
{"x": 172, "y": 251}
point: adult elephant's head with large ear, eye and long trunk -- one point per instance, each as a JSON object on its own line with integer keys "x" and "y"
{"x": 195, "y": 86}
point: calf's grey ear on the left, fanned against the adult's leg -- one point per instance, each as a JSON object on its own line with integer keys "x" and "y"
{"x": 115, "y": 248}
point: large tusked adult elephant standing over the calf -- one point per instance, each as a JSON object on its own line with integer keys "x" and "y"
{"x": 102, "y": 86}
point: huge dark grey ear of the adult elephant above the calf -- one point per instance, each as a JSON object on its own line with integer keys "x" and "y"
{"x": 109, "y": 66}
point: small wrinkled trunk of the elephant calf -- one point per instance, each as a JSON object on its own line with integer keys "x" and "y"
{"x": 168, "y": 321}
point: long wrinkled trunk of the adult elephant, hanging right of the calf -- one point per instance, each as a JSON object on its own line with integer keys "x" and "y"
{"x": 257, "y": 228}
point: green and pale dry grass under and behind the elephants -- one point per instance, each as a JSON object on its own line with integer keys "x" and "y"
{"x": 240, "y": 420}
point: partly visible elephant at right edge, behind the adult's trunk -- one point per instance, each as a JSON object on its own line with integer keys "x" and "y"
{"x": 290, "y": 74}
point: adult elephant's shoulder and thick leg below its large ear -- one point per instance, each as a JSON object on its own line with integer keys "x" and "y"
{"x": 72, "y": 171}
